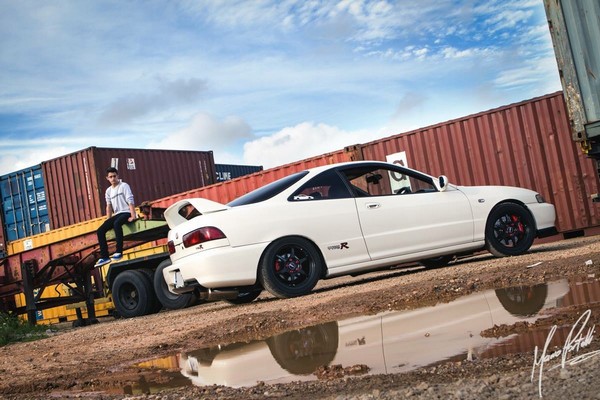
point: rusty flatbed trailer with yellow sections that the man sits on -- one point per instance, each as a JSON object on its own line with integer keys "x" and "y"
{"x": 67, "y": 256}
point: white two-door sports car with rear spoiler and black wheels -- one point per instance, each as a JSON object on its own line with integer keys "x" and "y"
{"x": 342, "y": 219}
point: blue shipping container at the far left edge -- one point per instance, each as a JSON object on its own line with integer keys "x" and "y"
{"x": 24, "y": 208}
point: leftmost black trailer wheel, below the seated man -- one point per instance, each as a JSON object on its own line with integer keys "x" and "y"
{"x": 132, "y": 294}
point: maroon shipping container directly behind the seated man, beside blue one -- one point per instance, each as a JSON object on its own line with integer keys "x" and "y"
{"x": 76, "y": 182}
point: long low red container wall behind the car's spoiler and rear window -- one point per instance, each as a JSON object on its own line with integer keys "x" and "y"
{"x": 226, "y": 191}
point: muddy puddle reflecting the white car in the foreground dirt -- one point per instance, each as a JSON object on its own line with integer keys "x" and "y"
{"x": 390, "y": 342}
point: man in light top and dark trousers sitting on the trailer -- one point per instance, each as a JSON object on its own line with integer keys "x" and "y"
{"x": 120, "y": 209}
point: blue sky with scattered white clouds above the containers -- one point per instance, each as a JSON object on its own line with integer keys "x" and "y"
{"x": 258, "y": 82}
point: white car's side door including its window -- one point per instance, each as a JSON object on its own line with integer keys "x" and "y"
{"x": 401, "y": 213}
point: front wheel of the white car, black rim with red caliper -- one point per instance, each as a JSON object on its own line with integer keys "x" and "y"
{"x": 510, "y": 230}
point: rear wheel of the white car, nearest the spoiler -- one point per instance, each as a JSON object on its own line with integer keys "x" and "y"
{"x": 290, "y": 267}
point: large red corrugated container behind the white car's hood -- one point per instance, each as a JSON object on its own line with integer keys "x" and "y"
{"x": 526, "y": 144}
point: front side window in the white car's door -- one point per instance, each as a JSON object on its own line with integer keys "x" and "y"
{"x": 377, "y": 181}
